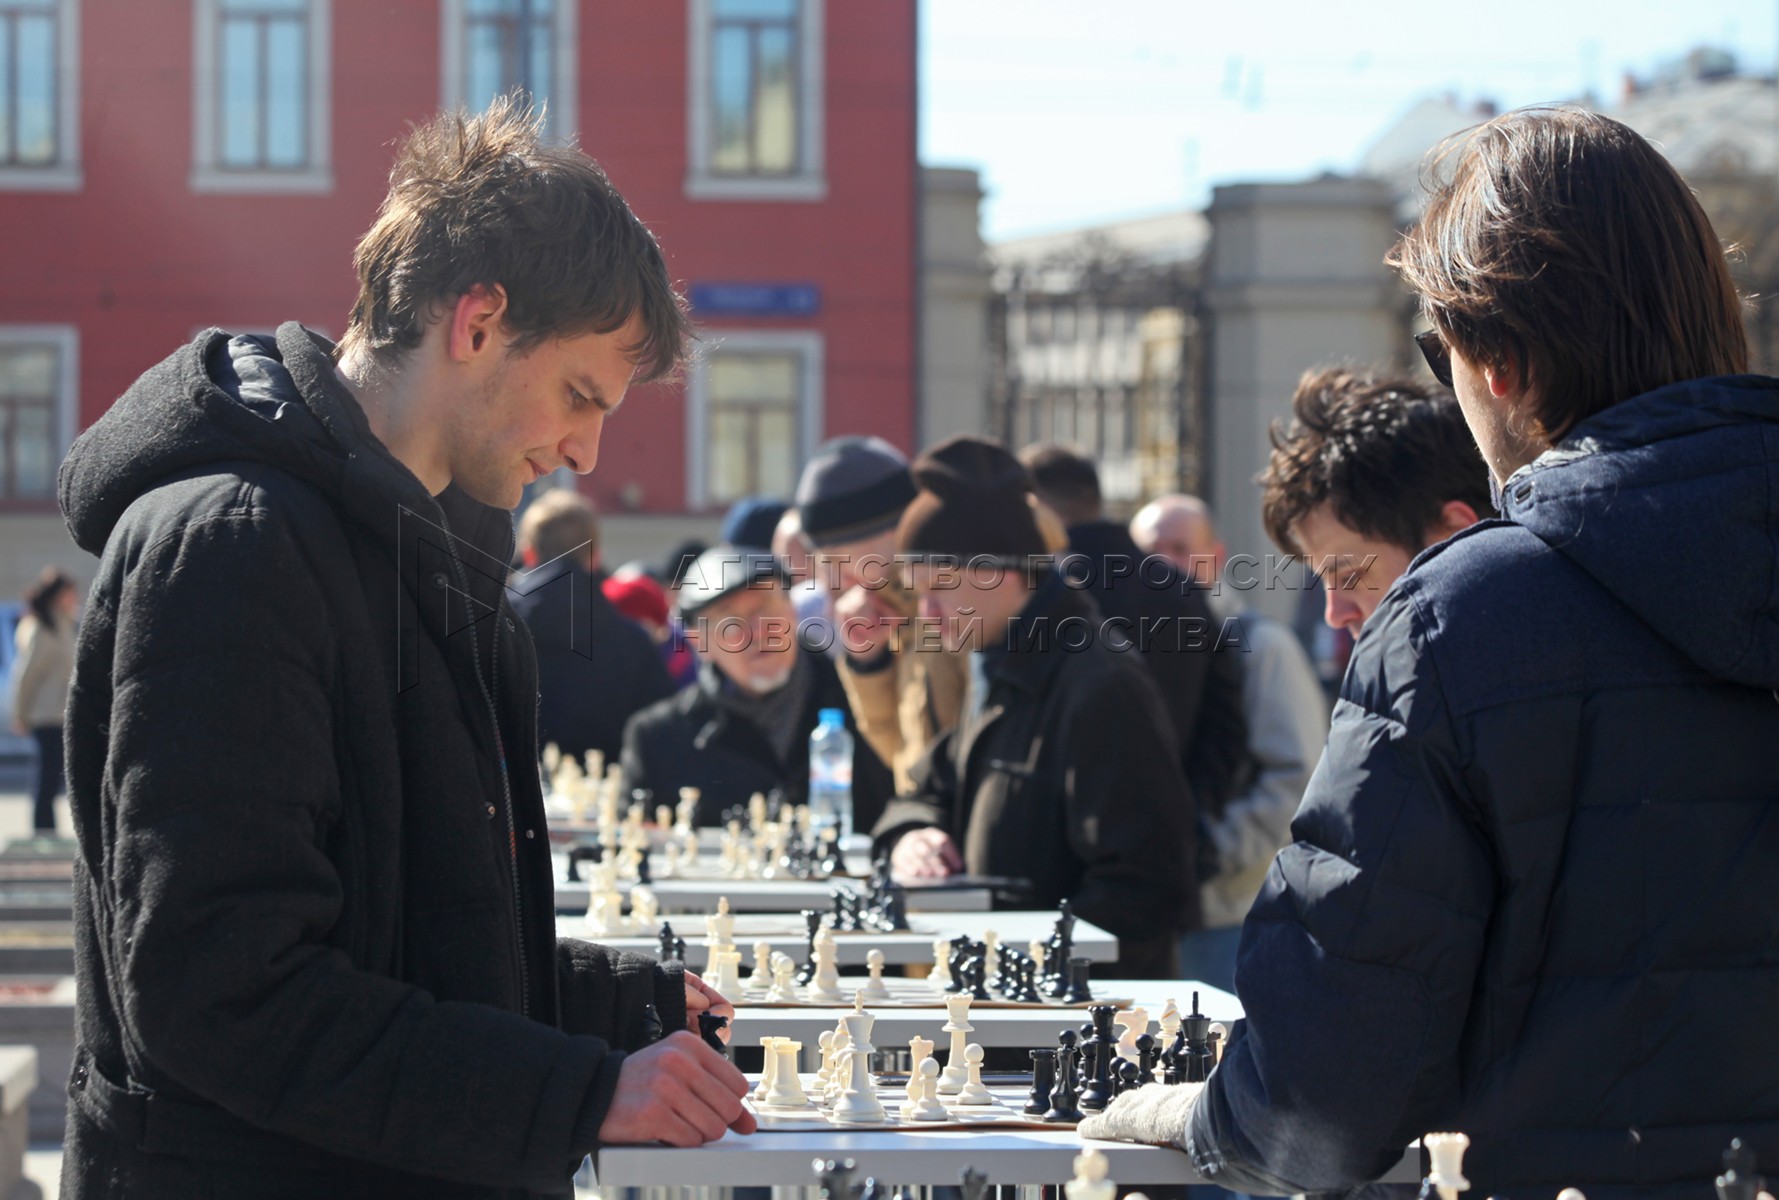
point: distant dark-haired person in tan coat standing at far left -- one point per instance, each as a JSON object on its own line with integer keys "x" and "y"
{"x": 45, "y": 643}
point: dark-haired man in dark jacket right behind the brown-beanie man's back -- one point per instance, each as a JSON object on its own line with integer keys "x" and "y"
{"x": 1166, "y": 618}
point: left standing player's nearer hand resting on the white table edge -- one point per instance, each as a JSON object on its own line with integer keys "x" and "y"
{"x": 680, "y": 1092}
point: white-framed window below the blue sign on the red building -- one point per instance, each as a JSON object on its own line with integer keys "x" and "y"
{"x": 755, "y": 415}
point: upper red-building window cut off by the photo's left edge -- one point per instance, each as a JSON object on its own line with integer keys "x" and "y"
{"x": 40, "y": 127}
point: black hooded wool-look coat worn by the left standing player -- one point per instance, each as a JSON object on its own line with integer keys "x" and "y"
{"x": 314, "y": 909}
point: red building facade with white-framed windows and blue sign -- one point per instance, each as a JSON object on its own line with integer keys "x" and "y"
{"x": 177, "y": 164}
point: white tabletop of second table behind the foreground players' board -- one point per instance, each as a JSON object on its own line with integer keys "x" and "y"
{"x": 785, "y": 934}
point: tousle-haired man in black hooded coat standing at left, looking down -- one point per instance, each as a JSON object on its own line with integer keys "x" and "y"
{"x": 314, "y": 909}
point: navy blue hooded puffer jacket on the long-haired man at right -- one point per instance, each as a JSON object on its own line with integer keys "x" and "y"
{"x": 1534, "y": 888}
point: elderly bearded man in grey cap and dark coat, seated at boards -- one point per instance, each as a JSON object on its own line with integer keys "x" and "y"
{"x": 745, "y": 724}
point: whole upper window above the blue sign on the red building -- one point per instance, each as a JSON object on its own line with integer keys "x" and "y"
{"x": 755, "y": 108}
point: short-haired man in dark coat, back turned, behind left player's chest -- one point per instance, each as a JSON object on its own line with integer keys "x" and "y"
{"x": 595, "y": 666}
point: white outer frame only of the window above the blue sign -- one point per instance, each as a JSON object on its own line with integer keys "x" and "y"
{"x": 810, "y": 184}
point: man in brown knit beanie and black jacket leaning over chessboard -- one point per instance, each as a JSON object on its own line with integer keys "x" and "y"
{"x": 1063, "y": 769}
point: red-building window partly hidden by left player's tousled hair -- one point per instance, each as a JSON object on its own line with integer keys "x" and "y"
{"x": 511, "y": 47}
